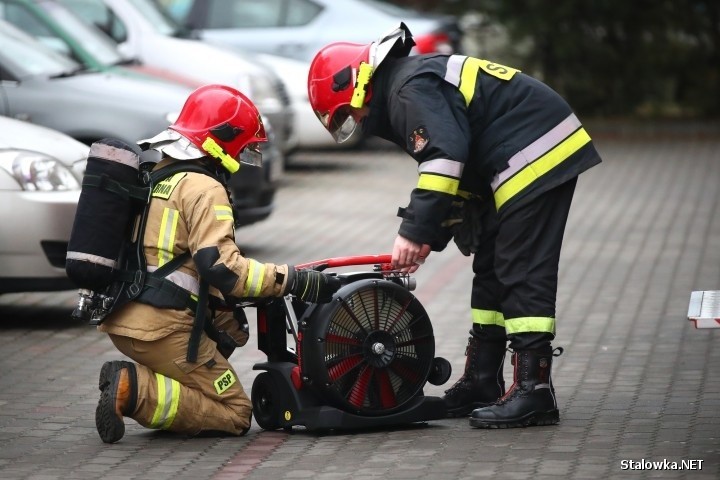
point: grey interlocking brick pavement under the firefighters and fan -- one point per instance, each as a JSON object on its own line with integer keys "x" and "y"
{"x": 636, "y": 381}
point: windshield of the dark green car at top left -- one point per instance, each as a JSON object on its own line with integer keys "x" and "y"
{"x": 99, "y": 45}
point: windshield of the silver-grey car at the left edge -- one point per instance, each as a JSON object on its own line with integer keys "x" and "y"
{"x": 25, "y": 56}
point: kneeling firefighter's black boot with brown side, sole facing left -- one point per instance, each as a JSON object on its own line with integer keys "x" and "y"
{"x": 118, "y": 398}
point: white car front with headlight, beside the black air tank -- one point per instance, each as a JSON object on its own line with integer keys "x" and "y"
{"x": 40, "y": 171}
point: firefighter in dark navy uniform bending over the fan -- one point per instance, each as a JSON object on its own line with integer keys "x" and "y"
{"x": 498, "y": 156}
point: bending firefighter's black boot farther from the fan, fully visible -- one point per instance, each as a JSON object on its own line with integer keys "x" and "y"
{"x": 531, "y": 399}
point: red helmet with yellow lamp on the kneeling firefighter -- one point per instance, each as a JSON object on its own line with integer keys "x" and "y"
{"x": 223, "y": 123}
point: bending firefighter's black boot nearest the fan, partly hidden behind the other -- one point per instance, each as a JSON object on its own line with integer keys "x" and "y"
{"x": 482, "y": 382}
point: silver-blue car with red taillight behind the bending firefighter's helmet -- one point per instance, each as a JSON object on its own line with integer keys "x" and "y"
{"x": 299, "y": 28}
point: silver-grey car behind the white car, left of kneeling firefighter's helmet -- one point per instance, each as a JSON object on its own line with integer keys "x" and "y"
{"x": 43, "y": 87}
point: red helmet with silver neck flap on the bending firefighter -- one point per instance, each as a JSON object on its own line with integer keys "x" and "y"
{"x": 339, "y": 79}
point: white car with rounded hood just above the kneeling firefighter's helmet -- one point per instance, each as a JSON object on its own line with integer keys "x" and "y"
{"x": 144, "y": 31}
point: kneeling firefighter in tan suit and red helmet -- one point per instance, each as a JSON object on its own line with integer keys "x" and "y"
{"x": 182, "y": 380}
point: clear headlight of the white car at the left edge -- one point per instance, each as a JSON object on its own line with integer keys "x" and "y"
{"x": 35, "y": 171}
